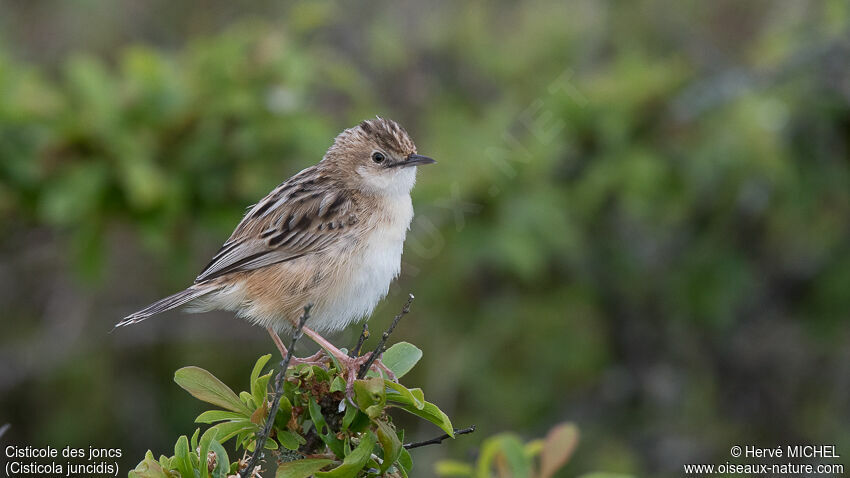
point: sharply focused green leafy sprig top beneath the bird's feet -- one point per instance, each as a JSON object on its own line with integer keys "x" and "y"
{"x": 317, "y": 431}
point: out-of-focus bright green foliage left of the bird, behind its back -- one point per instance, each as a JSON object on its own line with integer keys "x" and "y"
{"x": 158, "y": 138}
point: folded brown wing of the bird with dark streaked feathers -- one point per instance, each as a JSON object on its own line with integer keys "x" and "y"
{"x": 301, "y": 216}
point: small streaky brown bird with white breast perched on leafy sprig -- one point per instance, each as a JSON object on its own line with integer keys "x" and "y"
{"x": 331, "y": 236}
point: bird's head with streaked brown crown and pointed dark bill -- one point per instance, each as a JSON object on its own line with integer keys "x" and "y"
{"x": 377, "y": 157}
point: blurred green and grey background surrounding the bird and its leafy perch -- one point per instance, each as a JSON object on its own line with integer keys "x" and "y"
{"x": 640, "y": 220}
